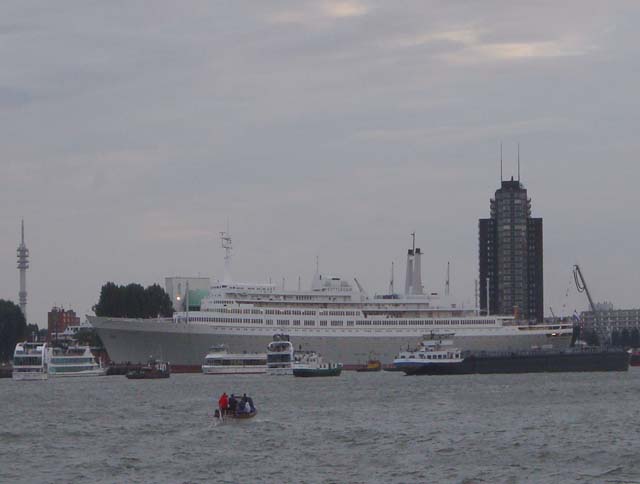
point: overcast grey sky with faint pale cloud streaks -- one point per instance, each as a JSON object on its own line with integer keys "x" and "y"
{"x": 130, "y": 131}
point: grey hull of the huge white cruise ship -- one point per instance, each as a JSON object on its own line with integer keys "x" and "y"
{"x": 186, "y": 344}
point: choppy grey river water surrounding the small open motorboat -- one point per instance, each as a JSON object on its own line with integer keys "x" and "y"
{"x": 376, "y": 427}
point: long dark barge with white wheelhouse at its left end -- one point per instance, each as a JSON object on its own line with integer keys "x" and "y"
{"x": 436, "y": 356}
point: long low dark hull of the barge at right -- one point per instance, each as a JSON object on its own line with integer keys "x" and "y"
{"x": 524, "y": 363}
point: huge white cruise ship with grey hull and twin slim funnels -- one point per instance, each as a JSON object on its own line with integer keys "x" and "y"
{"x": 333, "y": 317}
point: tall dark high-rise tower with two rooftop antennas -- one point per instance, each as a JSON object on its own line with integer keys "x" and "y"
{"x": 510, "y": 255}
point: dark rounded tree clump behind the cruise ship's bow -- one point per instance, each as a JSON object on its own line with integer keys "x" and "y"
{"x": 133, "y": 301}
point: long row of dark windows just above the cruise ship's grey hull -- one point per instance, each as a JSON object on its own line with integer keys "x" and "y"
{"x": 297, "y": 322}
